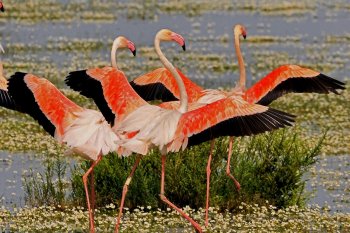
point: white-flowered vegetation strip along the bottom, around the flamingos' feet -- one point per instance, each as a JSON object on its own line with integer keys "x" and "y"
{"x": 250, "y": 218}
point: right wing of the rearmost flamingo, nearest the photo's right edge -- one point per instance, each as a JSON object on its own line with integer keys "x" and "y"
{"x": 291, "y": 78}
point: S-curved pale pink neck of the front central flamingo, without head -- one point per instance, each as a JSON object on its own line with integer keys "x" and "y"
{"x": 183, "y": 94}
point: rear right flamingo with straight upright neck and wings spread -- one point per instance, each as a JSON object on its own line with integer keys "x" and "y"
{"x": 159, "y": 84}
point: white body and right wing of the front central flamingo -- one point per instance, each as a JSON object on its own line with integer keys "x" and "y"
{"x": 226, "y": 117}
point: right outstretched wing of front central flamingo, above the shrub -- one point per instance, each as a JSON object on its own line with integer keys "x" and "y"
{"x": 227, "y": 117}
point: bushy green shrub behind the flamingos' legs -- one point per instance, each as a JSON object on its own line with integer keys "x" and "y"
{"x": 269, "y": 167}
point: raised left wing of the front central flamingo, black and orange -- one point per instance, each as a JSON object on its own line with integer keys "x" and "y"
{"x": 110, "y": 90}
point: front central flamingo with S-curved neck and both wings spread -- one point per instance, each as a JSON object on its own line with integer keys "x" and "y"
{"x": 172, "y": 130}
